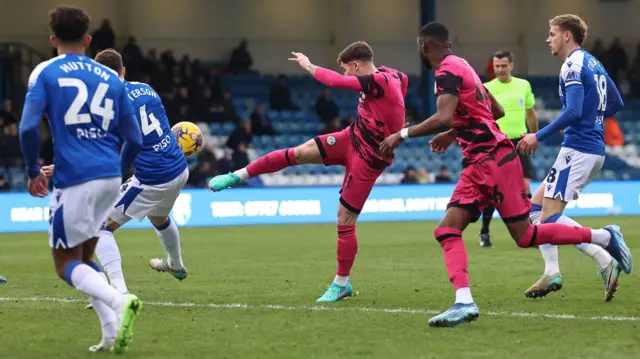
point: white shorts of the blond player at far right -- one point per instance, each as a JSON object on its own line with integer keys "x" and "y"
{"x": 571, "y": 173}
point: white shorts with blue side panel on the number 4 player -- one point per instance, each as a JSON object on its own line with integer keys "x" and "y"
{"x": 139, "y": 200}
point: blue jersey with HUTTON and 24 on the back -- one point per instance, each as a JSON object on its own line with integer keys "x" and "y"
{"x": 84, "y": 102}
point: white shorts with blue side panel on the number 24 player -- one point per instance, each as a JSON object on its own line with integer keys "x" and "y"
{"x": 78, "y": 212}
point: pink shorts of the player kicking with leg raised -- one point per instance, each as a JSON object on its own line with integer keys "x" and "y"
{"x": 336, "y": 149}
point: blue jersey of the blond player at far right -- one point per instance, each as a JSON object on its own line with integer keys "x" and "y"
{"x": 582, "y": 69}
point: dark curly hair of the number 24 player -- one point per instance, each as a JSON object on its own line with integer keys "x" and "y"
{"x": 69, "y": 24}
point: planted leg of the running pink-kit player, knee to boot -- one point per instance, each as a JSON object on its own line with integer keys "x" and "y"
{"x": 449, "y": 234}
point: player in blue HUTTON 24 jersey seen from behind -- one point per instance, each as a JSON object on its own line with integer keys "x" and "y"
{"x": 88, "y": 113}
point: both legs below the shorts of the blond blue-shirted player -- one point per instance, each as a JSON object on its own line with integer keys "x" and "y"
{"x": 551, "y": 212}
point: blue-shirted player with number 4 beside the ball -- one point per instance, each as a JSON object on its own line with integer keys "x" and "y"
{"x": 160, "y": 173}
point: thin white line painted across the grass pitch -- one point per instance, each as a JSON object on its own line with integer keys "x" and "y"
{"x": 317, "y": 308}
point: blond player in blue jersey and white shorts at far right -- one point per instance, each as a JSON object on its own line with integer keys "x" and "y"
{"x": 588, "y": 95}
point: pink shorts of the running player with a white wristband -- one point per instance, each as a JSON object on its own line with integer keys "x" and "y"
{"x": 498, "y": 180}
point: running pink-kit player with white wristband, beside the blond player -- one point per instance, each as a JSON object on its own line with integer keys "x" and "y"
{"x": 492, "y": 173}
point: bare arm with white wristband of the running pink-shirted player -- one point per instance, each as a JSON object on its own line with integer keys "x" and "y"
{"x": 441, "y": 121}
